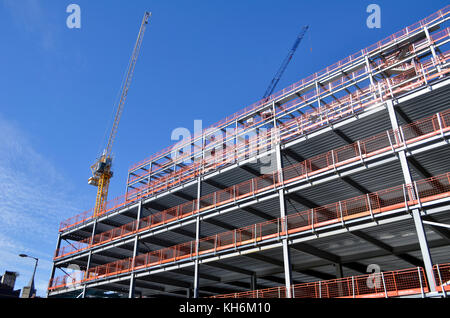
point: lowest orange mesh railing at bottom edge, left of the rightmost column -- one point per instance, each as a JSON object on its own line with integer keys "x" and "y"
{"x": 384, "y": 284}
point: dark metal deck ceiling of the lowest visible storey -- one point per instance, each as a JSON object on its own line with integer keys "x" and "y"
{"x": 263, "y": 267}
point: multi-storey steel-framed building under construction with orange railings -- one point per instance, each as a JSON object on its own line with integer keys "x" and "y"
{"x": 336, "y": 186}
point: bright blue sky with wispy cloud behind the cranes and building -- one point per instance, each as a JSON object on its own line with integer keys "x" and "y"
{"x": 199, "y": 60}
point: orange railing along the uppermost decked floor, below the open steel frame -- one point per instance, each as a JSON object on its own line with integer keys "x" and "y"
{"x": 310, "y": 121}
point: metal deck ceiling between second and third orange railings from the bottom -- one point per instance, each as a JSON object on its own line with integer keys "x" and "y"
{"x": 375, "y": 179}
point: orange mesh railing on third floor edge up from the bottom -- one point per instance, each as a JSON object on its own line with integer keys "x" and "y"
{"x": 361, "y": 150}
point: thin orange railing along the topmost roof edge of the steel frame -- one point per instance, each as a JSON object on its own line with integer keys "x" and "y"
{"x": 408, "y": 31}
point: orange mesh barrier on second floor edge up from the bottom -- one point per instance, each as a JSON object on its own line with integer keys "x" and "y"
{"x": 391, "y": 199}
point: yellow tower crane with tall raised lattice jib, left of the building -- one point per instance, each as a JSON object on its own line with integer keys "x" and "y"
{"x": 101, "y": 169}
